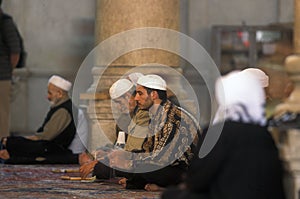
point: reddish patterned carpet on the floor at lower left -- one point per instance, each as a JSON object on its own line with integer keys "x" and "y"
{"x": 39, "y": 181}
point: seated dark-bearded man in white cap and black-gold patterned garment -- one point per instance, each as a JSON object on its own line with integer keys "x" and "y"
{"x": 173, "y": 140}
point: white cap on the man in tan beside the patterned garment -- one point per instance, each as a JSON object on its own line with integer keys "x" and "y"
{"x": 119, "y": 88}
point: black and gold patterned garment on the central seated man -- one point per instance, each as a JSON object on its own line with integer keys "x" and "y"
{"x": 175, "y": 136}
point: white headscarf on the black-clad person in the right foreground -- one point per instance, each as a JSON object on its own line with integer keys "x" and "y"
{"x": 240, "y": 97}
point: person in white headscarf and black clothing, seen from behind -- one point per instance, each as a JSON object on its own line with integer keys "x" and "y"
{"x": 244, "y": 161}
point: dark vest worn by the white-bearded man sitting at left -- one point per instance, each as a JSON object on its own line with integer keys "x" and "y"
{"x": 65, "y": 138}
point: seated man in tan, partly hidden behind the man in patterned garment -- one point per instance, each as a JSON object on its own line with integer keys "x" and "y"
{"x": 133, "y": 121}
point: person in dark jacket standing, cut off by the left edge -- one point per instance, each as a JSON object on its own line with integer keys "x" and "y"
{"x": 9, "y": 56}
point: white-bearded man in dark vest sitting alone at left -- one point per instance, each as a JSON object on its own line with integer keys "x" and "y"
{"x": 51, "y": 141}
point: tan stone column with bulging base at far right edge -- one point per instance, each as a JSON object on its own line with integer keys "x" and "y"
{"x": 289, "y": 144}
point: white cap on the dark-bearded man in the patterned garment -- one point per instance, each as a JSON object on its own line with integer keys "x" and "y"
{"x": 152, "y": 81}
